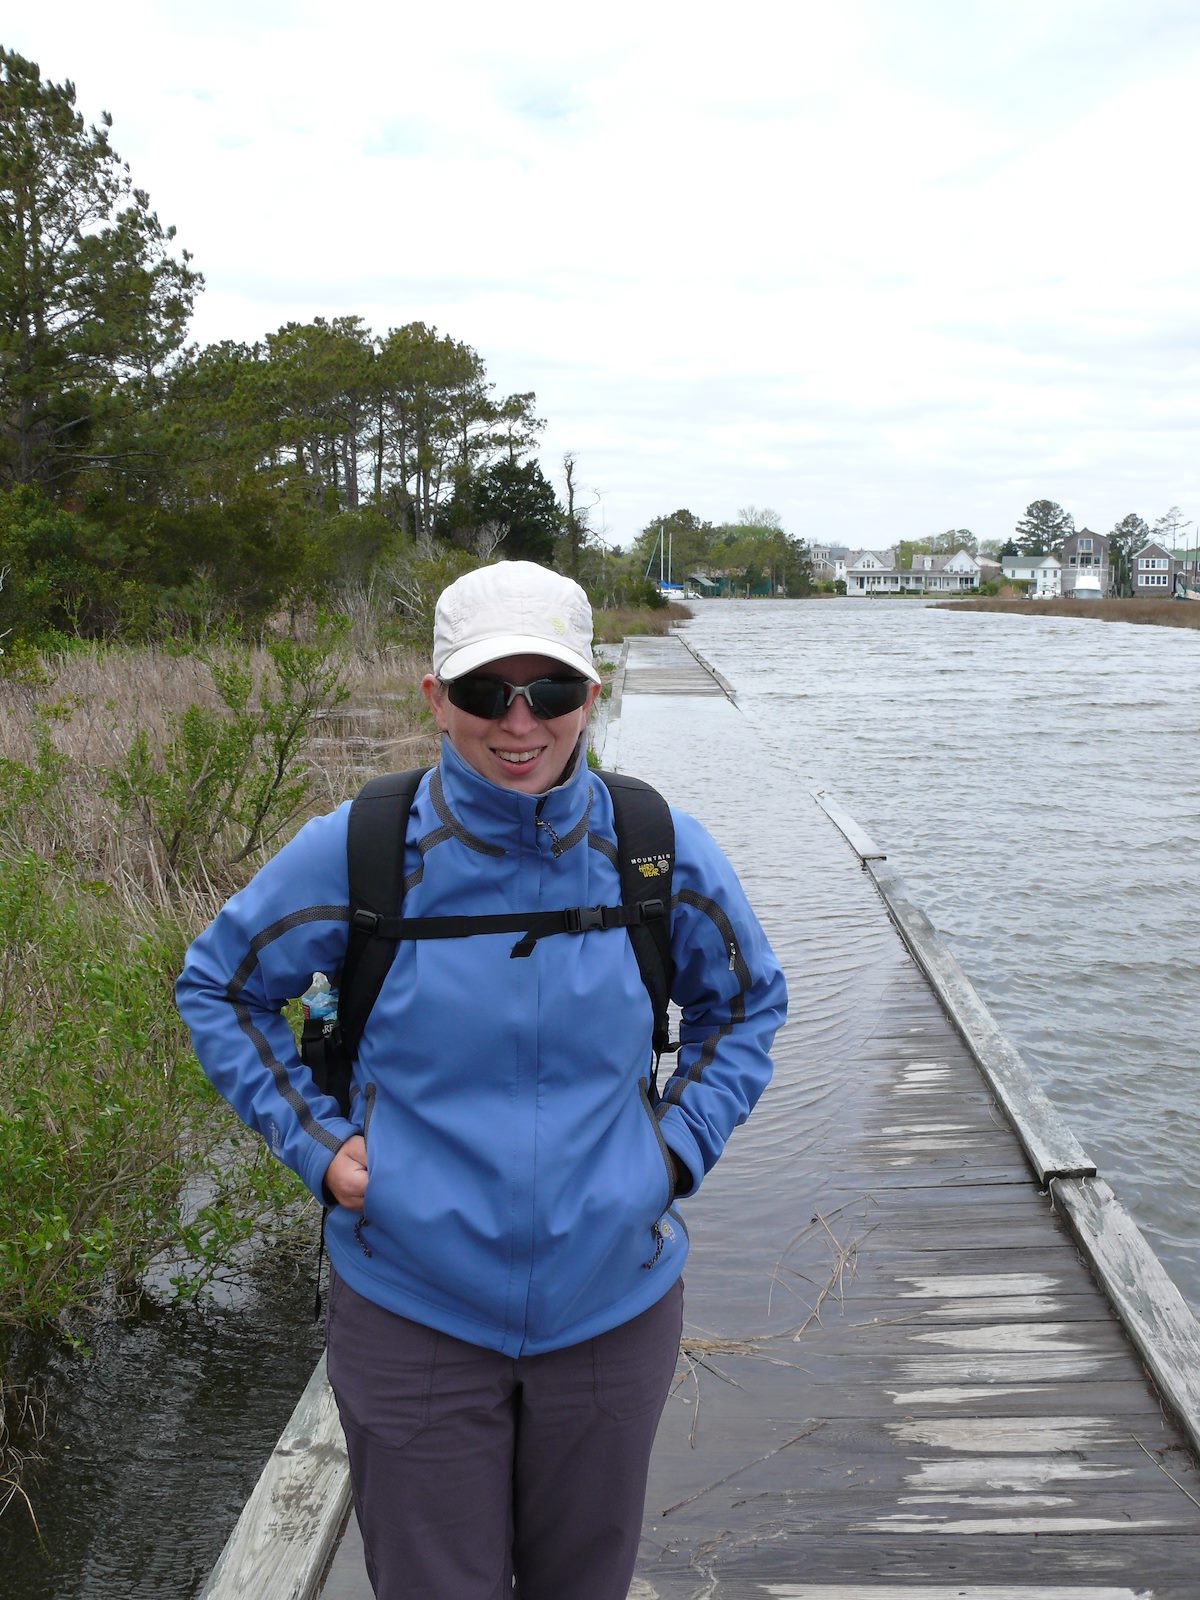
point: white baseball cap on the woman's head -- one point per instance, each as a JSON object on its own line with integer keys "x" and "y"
{"x": 513, "y": 609}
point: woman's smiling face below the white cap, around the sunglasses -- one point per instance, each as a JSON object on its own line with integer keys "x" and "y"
{"x": 518, "y": 751}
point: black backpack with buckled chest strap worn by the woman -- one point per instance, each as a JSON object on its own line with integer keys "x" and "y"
{"x": 375, "y": 847}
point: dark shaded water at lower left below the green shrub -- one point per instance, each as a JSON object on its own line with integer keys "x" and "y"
{"x": 158, "y": 1439}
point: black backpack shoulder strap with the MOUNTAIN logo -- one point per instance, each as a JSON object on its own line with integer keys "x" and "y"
{"x": 646, "y": 844}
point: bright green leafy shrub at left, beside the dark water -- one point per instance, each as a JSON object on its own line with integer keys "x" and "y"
{"x": 116, "y": 1154}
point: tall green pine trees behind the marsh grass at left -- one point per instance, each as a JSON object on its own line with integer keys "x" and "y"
{"x": 146, "y": 484}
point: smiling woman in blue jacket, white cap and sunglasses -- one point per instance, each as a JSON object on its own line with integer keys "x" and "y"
{"x": 506, "y": 1250}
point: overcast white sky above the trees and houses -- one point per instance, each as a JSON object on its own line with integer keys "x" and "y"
{"x": 884, "y": 266}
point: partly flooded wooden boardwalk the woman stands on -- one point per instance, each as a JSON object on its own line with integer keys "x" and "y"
{"x": 900, "y": 1378}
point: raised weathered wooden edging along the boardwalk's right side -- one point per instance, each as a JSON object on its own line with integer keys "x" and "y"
{"x": 1148, "y": 1303}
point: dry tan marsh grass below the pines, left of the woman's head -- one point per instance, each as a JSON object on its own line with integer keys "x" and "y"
{"x": 134, "y": 770}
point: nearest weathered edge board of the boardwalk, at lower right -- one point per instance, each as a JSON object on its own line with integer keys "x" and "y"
{"x": 1150, "y": 1305}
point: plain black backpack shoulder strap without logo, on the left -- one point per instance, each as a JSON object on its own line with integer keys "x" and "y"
{"x": 375, "y": 854}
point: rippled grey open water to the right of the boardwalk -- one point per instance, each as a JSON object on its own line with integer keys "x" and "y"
{"x": 1038, "y": 783}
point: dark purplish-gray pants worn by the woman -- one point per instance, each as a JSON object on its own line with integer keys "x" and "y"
{"x": 470, "y": 1466}
